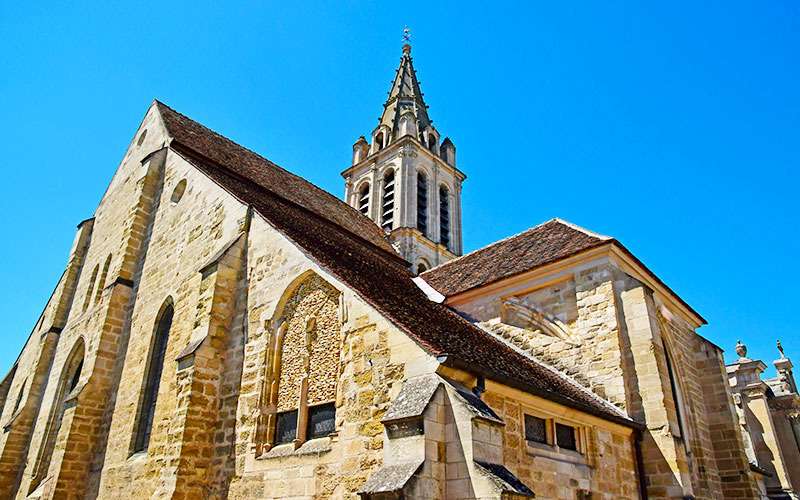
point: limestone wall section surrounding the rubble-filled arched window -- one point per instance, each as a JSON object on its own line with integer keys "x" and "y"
{"x": 372, "y": 356}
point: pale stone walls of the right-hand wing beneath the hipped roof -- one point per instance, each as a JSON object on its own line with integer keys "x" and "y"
{"x": 617, "y": 351}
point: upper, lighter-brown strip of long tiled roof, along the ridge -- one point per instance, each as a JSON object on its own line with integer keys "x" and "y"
{"x": 249, "y": 165}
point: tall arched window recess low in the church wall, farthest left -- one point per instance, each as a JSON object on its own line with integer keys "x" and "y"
{"x": 70, "y": 376}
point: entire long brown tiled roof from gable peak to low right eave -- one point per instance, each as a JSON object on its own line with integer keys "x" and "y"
{"x": 336, "y": 241}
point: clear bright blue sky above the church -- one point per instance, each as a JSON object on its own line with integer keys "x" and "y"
{"x": 673, "y": 127}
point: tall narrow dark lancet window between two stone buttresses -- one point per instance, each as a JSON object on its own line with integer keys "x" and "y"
{"x": 144, "y": 424}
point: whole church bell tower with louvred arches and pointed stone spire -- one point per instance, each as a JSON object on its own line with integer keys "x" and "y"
{"x": 405, "y": 179}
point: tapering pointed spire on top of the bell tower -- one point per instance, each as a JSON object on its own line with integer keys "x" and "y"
{"x": 405, "y": 95}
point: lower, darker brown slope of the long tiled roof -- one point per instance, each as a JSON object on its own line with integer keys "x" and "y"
{"x": 387, "y": 285}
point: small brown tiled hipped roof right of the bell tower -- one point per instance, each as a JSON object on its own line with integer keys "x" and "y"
{"x": 543, "y": 244}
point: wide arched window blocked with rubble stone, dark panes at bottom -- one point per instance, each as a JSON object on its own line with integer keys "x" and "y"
{"x": 299, "y": 392}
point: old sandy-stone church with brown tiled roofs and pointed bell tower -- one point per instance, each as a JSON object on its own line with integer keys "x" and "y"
{"x": 224, "y": 329}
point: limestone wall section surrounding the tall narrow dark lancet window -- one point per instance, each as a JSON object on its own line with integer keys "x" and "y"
{"x": 184, "y": 234}
